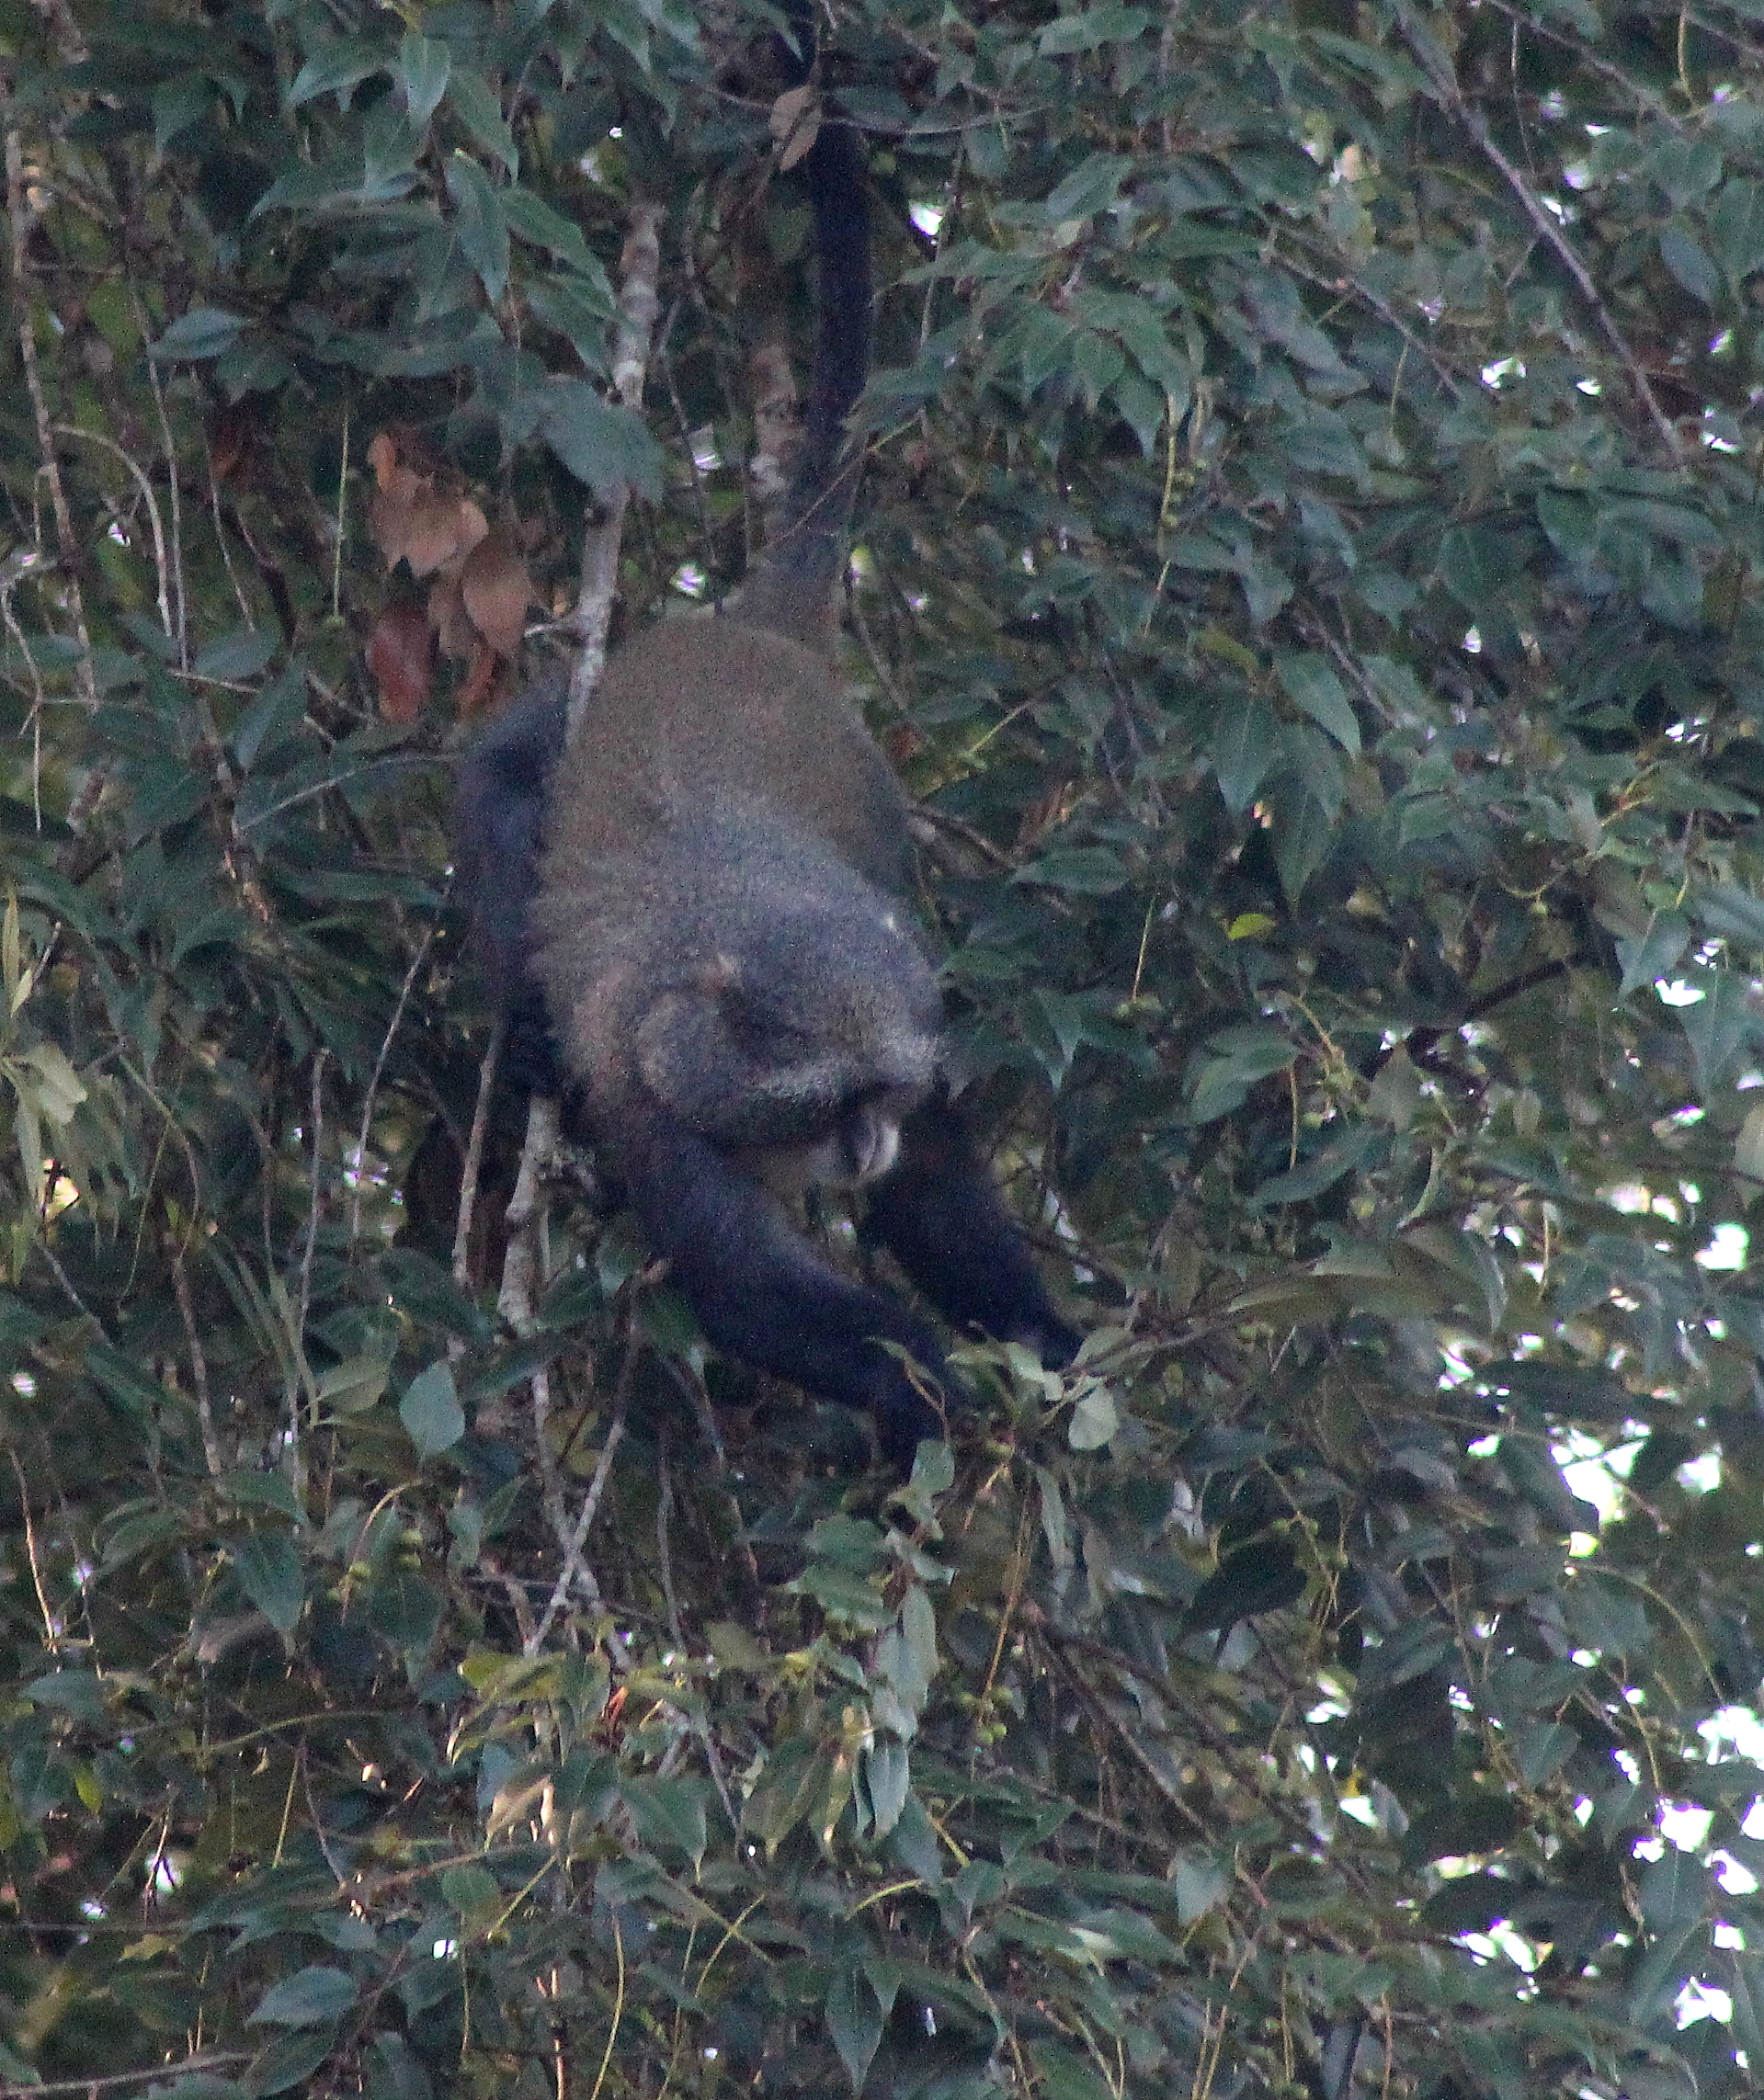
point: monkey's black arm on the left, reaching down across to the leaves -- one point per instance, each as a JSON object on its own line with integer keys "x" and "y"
{"x": 765, "y": 1297}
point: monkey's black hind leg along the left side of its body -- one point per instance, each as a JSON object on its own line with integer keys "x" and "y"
{"x": 499, "y": 826}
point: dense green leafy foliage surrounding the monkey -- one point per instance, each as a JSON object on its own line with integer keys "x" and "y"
{"x": 1314, "y": 576}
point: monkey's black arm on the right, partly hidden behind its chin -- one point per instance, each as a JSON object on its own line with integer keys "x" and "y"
{"x": 944, "y": 1221}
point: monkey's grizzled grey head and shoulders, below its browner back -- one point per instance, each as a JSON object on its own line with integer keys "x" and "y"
{"x": 738, "y": 973}
